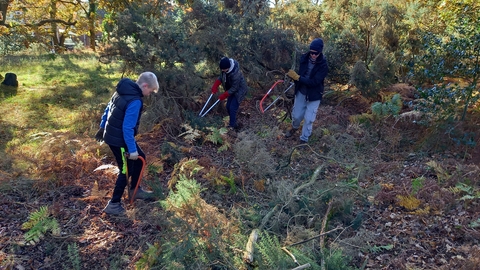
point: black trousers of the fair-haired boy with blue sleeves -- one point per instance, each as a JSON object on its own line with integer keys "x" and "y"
{"x": 134, "y": 168}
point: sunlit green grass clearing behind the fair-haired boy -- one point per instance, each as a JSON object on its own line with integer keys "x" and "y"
{"x": 63, "y": 94}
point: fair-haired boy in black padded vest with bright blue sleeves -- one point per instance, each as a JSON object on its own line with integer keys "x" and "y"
{"x": 118, "y": 128}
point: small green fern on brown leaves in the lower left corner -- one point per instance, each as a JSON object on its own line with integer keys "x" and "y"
{"x": 39, "y": 223}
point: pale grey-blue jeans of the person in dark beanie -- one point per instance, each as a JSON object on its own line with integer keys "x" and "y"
{"x": 304, "y": 110}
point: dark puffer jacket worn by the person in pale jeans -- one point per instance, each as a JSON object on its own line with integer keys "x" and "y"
{"x": 315, "y": 83}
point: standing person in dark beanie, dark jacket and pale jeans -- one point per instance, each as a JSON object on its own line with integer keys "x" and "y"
{"x": 309, "y": 85}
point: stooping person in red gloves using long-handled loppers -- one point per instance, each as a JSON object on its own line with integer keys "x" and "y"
{"x": 234, "y": 85}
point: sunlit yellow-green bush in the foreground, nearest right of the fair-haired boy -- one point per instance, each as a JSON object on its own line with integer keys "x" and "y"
{"x": 201, "y": 234}
